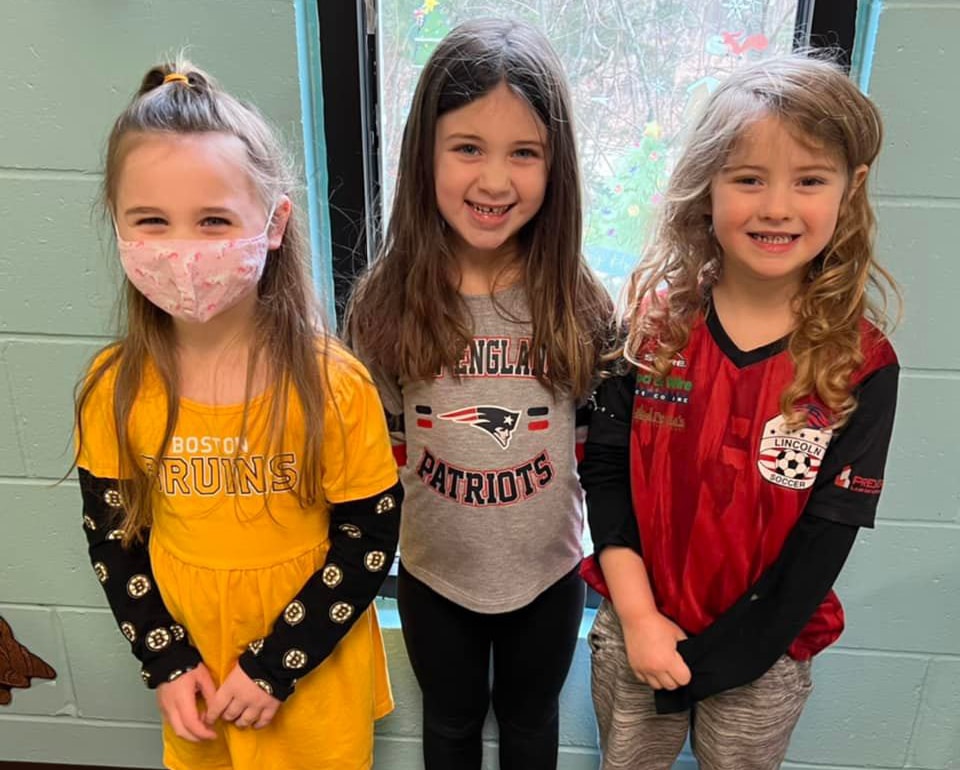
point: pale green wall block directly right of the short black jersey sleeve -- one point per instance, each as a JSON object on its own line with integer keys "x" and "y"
{"x": 921, "y": 482}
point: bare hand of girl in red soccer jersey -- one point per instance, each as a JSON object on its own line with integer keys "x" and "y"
{"x": 651, "y": 642}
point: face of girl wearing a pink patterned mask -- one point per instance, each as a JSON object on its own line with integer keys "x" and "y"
{"x": 187, "y": 191}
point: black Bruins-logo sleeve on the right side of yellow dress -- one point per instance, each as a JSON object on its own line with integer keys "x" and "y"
{"x": 363, "y": 542}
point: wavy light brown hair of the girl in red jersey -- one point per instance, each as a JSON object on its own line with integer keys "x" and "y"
{"x": 815, "y": 99}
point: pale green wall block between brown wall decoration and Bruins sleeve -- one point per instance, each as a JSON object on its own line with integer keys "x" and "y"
{"x": 106, "y": 676}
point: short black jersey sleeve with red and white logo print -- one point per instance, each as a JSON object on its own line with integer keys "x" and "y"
{"x": 850, "y": 478}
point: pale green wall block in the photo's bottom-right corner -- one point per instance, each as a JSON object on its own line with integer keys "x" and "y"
{"x": 936, "y": 738}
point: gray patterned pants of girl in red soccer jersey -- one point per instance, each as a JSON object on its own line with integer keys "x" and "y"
{"x": 747, "y": 728}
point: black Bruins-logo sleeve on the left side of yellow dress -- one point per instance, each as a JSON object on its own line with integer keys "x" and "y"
{"x": 156, "y": 639}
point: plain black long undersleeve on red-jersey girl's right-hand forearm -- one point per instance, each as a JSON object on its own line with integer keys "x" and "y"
{"x": 743, "y": 643}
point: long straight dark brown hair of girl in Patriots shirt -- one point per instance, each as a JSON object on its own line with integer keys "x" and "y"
{"x": 406, "y": 317}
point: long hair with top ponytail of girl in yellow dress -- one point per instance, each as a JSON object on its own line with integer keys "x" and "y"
{"x": 286, "y": 336}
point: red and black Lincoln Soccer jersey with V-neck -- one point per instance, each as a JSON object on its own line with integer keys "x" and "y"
{"x": 719, "y": 484}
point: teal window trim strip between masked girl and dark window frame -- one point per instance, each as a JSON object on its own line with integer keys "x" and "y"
{"x": 314, "y": 152}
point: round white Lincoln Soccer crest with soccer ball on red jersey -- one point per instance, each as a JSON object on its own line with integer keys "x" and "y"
{"x": 792, "y": 459}
